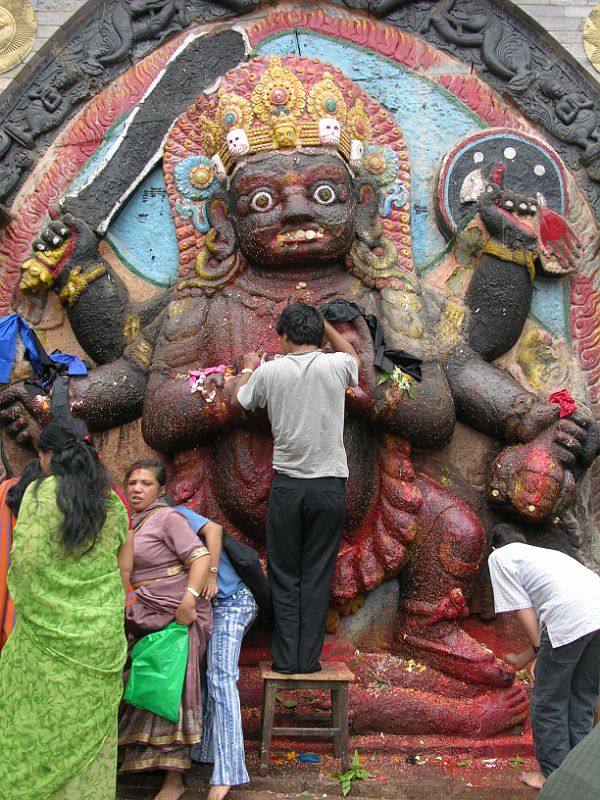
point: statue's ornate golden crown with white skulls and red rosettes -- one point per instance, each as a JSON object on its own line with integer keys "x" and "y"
{"x": 278, "y": 108}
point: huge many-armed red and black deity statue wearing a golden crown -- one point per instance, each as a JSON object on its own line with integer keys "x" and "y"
{"x": 303, "y": 183}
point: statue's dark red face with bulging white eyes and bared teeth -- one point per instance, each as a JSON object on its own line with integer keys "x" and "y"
{"x": 294, "y": 209}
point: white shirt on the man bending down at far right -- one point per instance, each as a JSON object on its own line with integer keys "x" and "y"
{"x": 564, "y": 594}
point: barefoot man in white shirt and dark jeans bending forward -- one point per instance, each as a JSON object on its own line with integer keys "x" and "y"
{"x": 557, "y": 601}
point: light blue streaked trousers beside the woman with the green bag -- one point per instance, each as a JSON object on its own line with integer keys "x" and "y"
{"x": 223, "y": 741}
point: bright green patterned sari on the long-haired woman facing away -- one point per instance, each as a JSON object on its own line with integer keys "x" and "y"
{"x": 61, "y": 669}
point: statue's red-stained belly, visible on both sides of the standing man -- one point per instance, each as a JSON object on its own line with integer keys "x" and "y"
{"x": 242, "y": 476}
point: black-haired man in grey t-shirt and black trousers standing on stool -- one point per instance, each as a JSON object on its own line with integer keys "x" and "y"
{"x": 304, "y": 395}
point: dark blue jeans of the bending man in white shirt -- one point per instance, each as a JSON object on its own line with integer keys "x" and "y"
{"x": 564, "y": 697}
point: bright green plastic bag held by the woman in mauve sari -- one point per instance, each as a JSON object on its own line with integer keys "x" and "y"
{"x": 158, "y": 663}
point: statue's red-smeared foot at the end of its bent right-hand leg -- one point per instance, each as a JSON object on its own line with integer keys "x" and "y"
{"x": 448, "y": 648}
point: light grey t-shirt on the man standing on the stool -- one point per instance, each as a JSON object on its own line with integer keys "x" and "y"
{"x": 304, "y": 395}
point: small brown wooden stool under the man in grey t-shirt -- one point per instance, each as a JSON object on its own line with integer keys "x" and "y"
{"x": 333, "y": 677}
